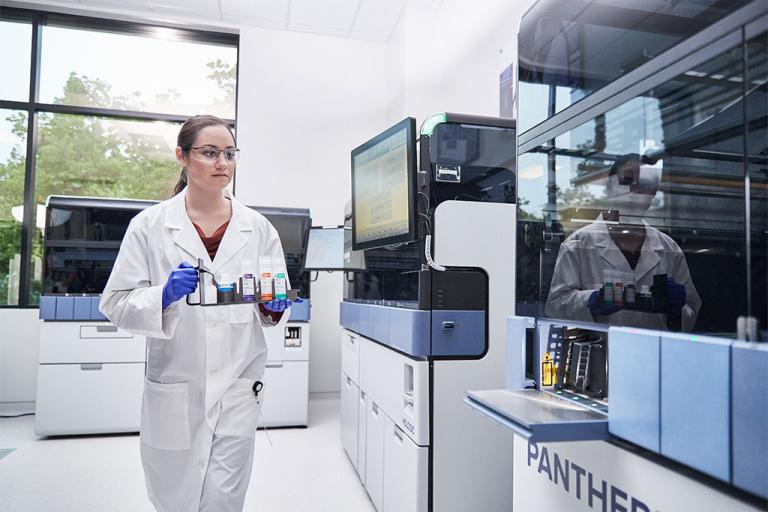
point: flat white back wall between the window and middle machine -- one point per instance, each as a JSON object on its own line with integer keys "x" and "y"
{"x": 304, "y": 102}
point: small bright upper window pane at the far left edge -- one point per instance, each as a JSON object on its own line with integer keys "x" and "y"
{"x": 16, "y": 42}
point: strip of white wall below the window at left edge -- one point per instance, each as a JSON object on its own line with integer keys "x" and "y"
{"x": 20, "y": 331}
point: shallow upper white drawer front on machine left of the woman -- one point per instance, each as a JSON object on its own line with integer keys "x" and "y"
{"x": 88, "y": 342}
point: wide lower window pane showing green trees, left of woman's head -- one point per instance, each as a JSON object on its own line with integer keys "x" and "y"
{"x": 96, "y": 157}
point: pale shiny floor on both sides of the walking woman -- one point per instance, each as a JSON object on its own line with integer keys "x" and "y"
{"x": 305, "y": 470}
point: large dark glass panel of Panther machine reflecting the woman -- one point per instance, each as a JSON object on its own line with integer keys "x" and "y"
{"x": 624, "y": 218}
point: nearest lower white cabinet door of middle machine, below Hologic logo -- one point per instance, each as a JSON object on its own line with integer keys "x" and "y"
{"x": 405, "y": 472}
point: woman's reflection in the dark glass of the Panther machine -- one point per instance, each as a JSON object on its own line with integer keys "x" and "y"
{"x": 620, "y": 270}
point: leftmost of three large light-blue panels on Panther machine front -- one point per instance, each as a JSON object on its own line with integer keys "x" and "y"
{"x": 634, "y": 362}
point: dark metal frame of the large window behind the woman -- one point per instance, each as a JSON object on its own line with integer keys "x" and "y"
{"x": 33, "y": 107}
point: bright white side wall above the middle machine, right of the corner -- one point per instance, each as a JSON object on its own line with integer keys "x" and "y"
{"x": 450, "y": 61}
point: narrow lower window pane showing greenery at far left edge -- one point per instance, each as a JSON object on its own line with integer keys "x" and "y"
{"x": 13, "y": 156}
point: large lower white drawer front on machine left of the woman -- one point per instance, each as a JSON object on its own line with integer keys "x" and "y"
{"x": 88, "y": 398}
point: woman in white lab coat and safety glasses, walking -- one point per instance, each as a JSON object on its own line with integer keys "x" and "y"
{"x": 199, "y": 409}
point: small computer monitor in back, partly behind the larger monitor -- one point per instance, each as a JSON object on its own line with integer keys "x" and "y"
{"x": 326, "y": 250}
